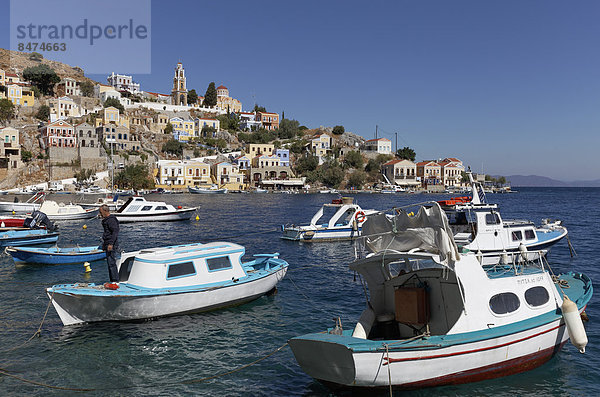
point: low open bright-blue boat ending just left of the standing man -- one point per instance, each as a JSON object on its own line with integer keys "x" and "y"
{"x": 55, "y": 255}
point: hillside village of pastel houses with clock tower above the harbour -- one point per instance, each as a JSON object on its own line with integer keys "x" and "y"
{"x": 56, "y": 123}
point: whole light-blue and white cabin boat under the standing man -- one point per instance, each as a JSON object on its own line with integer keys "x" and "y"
{"x": 171, "y": 280}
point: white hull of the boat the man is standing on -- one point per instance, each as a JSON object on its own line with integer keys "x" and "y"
{"x": 126, "y": 305}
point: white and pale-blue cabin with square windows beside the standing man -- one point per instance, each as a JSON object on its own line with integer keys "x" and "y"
{"x": 182, "y": 265}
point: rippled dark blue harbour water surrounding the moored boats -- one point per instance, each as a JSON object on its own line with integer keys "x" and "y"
{"x": 158, "y": 357}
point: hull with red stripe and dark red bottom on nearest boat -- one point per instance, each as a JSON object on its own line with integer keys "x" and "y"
{"x": 338, "y": 366}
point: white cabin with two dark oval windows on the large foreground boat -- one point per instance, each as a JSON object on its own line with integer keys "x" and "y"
{"x": 416, "y": 293}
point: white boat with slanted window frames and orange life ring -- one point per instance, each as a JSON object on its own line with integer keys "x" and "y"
{"x": 341, "y": 219}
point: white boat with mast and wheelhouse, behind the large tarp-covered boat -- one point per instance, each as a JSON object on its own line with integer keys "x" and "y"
{"x": 478, "y": 226}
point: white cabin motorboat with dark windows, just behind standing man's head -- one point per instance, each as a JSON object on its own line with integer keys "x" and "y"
{"x": 137, "y": 209}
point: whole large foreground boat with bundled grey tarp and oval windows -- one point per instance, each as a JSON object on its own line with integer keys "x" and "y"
{"x": 435, "y": 316}
